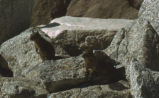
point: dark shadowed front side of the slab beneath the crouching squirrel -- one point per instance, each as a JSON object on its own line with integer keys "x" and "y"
{"x": 61, "y": 85}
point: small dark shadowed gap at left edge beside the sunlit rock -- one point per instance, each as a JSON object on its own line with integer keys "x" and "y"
{"x": 4, "y": 69}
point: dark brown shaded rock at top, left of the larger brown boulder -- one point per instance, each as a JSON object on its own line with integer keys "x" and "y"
{"x": 45, "y": 10}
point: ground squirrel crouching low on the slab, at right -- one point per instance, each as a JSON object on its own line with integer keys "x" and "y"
{"x": 98, "y": 63}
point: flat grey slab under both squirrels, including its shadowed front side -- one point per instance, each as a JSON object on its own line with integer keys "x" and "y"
{"x": 60, "y": 75}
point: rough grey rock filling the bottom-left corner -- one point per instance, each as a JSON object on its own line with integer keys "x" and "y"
{"x": 21, "y": 88}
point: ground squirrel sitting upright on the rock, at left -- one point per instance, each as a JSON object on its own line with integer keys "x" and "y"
{"x": 43, "y": 47}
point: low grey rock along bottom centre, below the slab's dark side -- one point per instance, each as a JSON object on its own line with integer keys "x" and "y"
{"x": 115, "y": 90}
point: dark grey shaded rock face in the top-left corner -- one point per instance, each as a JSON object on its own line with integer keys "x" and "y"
{"x": 14, "y": 17}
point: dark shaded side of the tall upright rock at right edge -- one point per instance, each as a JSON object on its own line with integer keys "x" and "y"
{"x": 151, "y": 47}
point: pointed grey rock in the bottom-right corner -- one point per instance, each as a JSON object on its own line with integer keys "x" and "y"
{"x": 144, "y": 82}
